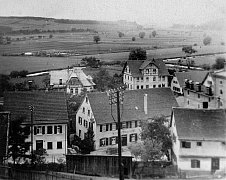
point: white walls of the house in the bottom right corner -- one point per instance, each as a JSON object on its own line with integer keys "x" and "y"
{"x": 196, "y": 156}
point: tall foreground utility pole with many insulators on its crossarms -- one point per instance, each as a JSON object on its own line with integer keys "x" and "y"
{"x": 116, "y": 97}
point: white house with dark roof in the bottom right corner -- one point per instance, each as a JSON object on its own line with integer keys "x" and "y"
{"x": 199, "y": 140}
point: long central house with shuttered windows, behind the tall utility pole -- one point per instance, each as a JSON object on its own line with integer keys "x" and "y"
{"x": 138, "y": 105}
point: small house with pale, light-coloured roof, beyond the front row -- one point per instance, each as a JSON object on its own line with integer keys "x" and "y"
{"x": 72, "y": 81}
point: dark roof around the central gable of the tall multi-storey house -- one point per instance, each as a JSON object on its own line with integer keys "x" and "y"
{"x": 137, "y": 65}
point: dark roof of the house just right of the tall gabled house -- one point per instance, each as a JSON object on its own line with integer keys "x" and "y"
{"x": 196, "y": 76}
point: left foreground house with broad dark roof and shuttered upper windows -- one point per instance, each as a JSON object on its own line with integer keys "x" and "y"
{"x": 50, "y": 119}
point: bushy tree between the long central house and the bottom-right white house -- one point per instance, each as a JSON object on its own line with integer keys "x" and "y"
{"x": 156, "y": 140}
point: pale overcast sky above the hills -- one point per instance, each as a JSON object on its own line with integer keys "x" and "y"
{"x": 159, "y": 12}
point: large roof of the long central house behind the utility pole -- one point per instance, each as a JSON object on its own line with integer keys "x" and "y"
{"x": 159, "y": 102}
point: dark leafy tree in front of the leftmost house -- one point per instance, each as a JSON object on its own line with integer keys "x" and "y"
{"x": 18, "y": 146}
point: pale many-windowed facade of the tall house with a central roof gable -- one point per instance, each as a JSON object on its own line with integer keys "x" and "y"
{"x": 150, "y": 78}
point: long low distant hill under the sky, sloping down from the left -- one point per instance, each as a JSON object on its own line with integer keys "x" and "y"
{"x": 14, "y": 24}
